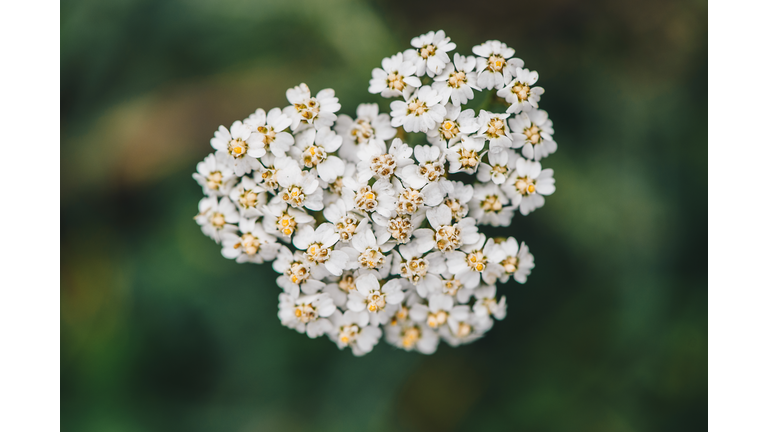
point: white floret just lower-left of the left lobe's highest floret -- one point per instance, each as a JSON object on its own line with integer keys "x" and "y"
{"x": 267, "y": 130}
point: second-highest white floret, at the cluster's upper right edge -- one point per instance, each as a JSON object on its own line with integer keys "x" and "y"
{"x": 495, "y": 66}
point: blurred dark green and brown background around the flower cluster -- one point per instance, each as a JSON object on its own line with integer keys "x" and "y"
{"x": 161, "y": 333}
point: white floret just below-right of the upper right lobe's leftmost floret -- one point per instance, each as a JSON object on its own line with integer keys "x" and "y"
{"x": 420, "y": 112}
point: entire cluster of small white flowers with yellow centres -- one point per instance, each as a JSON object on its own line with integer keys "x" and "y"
{"x": 372, "y": 222}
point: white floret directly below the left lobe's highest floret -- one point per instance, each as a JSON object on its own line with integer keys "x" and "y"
{"x": 313, "y": 148}
